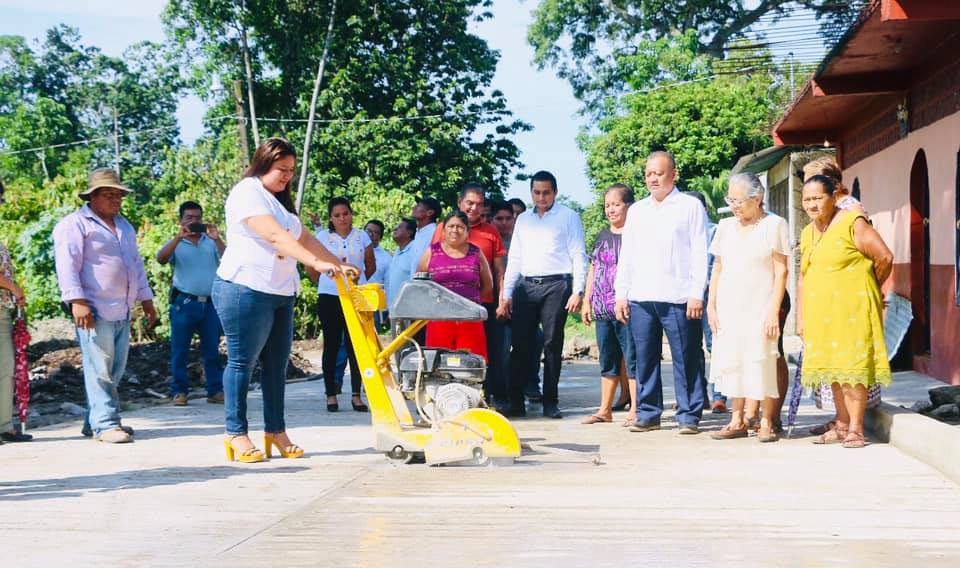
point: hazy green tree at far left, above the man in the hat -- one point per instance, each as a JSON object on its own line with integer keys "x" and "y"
{"x": 65, "y": 92}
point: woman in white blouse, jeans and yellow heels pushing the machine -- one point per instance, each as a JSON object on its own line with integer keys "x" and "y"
{"x": 254, "y": 293}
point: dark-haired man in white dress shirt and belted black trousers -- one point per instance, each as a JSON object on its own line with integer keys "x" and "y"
{"x": 544, "y": 281}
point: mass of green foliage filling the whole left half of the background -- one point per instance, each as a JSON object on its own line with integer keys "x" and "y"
{"x": 406, "y": 109}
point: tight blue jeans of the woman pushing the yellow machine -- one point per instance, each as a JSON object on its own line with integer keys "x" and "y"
{"x": 258, "y": 326}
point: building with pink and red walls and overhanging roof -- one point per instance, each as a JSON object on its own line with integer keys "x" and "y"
{"x": 888, "y": 98}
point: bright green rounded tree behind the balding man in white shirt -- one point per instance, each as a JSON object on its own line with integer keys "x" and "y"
{"x": 719, "y": 111}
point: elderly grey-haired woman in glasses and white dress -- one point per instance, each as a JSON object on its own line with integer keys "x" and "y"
{"x": 746, "y": 289}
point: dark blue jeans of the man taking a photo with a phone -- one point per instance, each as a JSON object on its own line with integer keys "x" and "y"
{"x": 188, "y": 316}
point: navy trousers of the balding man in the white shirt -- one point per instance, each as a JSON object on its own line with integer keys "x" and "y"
{"x": 648, "y": 322}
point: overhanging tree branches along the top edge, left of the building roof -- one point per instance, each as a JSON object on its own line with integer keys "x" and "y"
{"x": 585, "y": 40}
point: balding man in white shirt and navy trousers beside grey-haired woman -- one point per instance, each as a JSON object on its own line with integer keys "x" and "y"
{"x": 661, "y": 276}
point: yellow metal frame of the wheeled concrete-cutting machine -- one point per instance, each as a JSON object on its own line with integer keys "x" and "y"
{"x": 475, "y": 436}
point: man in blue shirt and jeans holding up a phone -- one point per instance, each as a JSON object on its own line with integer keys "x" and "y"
{"x": 195, "y": 255}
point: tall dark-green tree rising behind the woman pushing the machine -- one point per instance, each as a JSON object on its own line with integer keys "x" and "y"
{"x": 405, "y": 102}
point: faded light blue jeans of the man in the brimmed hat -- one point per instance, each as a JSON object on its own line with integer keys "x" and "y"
{"x": 104, "y": 351}
